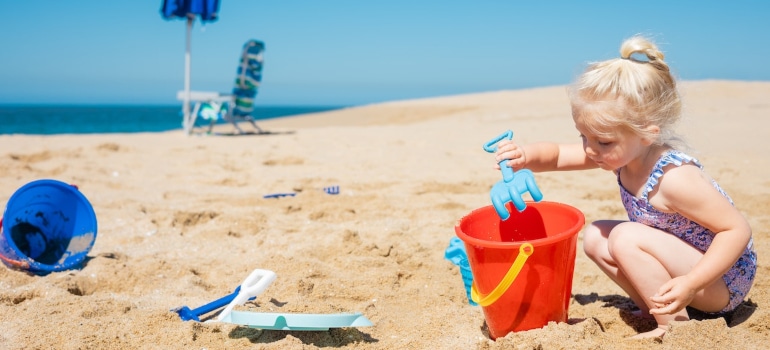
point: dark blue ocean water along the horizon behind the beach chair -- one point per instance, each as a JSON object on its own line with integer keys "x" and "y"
{"x": 73, "y": 119}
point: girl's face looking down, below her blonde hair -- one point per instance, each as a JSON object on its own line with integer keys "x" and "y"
{"x": 613, "y": 149}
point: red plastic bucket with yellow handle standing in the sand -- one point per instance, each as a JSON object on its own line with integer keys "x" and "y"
{"x": 546, "y": 234}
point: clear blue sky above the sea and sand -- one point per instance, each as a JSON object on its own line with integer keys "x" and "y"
{"x": 352, "y": 52}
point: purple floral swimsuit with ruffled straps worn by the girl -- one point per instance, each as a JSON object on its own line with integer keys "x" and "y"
{"x": 740, "y": 277}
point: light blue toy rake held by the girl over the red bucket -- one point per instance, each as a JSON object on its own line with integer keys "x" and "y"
{"x": 513, "y": 185}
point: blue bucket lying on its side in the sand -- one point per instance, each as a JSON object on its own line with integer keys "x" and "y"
{"x": 47, "y": 226}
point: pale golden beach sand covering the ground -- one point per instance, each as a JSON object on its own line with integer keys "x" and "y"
{"x": 182, "y": 221}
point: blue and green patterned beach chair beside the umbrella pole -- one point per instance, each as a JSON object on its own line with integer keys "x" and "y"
{"x": 237, "y": 106}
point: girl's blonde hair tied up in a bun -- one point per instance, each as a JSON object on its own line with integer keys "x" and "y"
{"x": 634, "y": 91}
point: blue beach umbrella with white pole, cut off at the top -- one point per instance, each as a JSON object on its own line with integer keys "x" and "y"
{"x": 206, "y": 10}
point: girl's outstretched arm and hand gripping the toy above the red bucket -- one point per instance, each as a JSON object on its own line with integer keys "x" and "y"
{"x": 544, "y": 156}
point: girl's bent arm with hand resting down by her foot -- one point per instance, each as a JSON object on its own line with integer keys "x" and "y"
{"x": 688, "y": 191}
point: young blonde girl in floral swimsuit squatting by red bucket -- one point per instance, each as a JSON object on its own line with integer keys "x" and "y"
{"x": 685, "y": 244}
